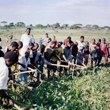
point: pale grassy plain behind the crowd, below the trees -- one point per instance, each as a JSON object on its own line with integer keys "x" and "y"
{"x": 60, "y": 34}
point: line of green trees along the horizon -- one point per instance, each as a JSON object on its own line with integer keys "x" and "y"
{"x": 53, "y": 26}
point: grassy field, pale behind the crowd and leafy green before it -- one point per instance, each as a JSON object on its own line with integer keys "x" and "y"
{"x": 90, "y": 91}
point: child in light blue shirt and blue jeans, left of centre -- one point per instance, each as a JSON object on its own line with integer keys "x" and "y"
{"x": 25, "y": 60}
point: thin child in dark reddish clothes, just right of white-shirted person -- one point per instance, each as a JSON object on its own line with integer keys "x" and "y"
{"x": 86, "y": 53}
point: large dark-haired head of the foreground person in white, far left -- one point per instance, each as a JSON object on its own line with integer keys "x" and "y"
{"x": 10, "y": 58}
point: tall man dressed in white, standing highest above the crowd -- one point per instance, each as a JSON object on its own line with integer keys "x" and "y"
{"x": 26, "y": 39}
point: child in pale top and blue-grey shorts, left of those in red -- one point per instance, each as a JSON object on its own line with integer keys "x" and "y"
{"x": 93, "y": 52}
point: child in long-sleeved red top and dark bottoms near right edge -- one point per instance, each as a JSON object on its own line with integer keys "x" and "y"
{"x": 103, "y": 51}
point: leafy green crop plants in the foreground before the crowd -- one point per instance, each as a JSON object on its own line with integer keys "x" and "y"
{"x": 90, "y": 91}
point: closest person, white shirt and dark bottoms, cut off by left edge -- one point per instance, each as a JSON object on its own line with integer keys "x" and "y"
{"x": 9, "y": 59}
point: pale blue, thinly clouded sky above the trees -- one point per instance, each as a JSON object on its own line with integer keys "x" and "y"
{"x": 52, "y": 11}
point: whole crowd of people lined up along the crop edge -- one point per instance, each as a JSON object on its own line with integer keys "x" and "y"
{"x": 18, "y": 56}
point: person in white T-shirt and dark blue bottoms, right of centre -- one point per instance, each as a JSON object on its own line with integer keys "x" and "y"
{"x": 81, "y": 46}
